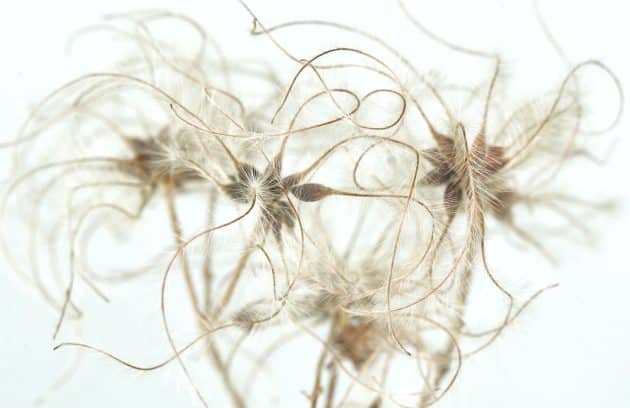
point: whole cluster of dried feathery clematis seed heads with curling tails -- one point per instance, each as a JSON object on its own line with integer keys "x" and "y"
{"x": 339, "y": 205}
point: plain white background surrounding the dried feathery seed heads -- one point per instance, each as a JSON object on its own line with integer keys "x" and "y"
{"x": 570, "y": 349}
